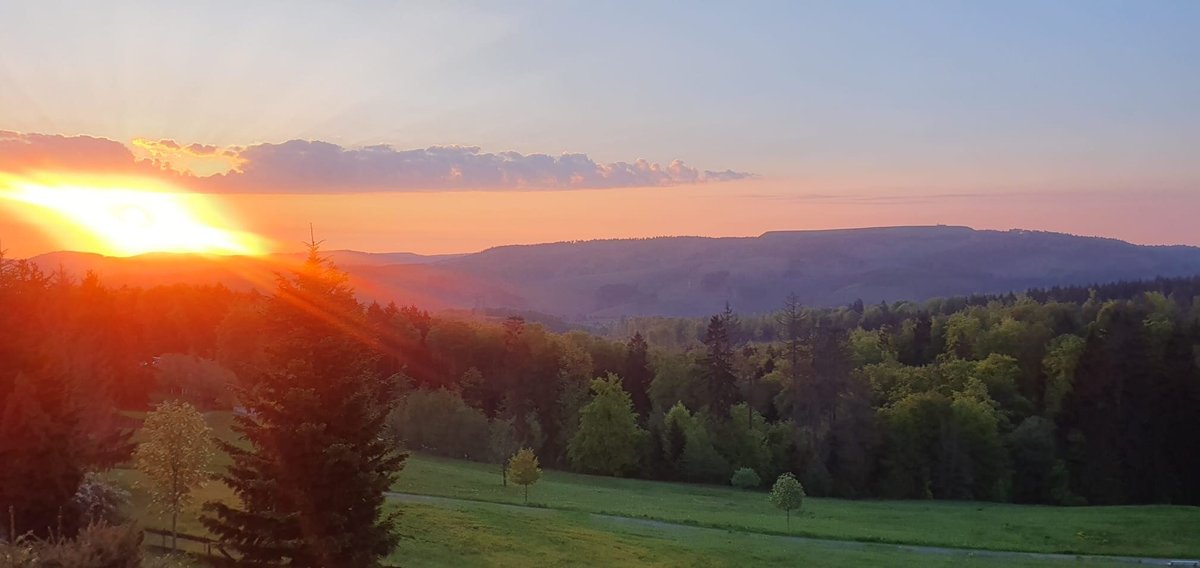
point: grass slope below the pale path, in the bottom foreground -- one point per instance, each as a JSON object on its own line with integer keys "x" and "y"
{"x": 495, "y": 536}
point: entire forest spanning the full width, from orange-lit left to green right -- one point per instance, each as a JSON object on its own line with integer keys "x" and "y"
{"x": 1067, "y": 397}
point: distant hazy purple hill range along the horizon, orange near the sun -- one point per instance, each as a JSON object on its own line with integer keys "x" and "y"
{"x": 695, "y": 276}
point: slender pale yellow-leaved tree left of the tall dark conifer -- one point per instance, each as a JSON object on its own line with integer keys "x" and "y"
{"x": 175, "y": 456}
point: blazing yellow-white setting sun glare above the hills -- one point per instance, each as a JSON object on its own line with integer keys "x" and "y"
{"x": 127, "y": 218}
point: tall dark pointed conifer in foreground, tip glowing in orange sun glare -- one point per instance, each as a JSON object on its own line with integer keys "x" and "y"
{"x": 313, "y": 477}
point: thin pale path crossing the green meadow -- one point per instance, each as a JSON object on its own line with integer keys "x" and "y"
{"x": 823, "y": 542}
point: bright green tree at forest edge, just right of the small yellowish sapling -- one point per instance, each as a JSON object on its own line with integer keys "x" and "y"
{"x": 609, "y": 437}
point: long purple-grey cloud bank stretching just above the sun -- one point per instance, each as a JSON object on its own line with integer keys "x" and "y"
{"x": 322, "y": 168}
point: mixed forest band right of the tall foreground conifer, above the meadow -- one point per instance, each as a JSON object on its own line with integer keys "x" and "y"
{"x": 1019, "y": 399}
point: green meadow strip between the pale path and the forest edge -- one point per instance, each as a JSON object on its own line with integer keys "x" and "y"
{"x": 1133, "y": 531}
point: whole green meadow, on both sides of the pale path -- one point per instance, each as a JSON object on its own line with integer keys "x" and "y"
{"x": 728, "y": 527}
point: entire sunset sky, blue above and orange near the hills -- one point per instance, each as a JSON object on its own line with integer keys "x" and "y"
{"x": 454, "y": 127}
